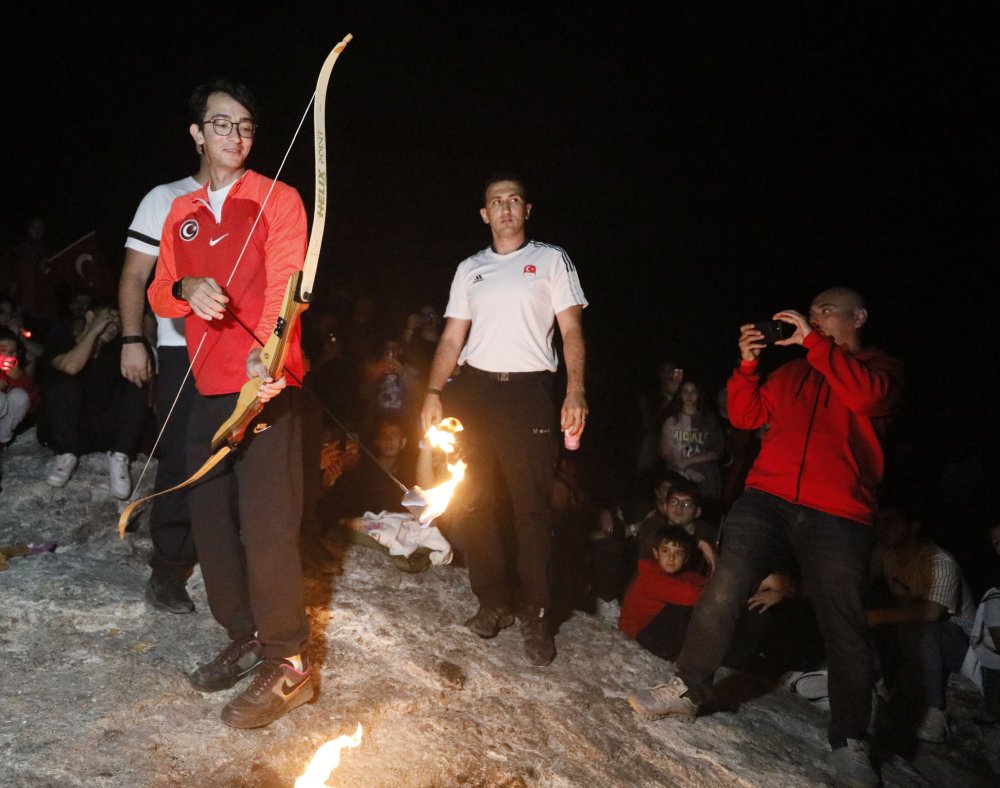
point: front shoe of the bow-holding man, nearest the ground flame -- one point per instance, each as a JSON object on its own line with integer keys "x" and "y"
{"x": 276, "y": 689}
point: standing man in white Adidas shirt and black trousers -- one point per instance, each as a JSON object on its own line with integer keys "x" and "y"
{"x": 504, "y": 305}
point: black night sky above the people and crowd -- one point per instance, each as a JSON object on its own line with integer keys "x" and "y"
{"x": 703, "y": 163}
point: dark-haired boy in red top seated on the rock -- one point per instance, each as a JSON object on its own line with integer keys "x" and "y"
{"x": 658, "y": 604}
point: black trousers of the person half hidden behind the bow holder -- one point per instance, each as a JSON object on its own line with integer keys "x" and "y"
{"x": 174, "y": 554}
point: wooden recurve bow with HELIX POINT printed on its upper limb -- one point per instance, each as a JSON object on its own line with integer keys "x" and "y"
{"x": 298, "y": 294}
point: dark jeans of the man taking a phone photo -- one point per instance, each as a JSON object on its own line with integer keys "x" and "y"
{"x": 833, "y": 555}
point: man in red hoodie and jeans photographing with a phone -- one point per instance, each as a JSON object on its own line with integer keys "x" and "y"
{"x": 810, "y": 495}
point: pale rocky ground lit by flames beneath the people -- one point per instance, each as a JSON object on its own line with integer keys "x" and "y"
{"x": 94, "y": 690}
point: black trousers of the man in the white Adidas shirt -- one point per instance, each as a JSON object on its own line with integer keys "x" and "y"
{"x": 509, "y": 439}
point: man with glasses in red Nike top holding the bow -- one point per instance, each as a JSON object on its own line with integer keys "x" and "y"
{"x": 227, "y": 252}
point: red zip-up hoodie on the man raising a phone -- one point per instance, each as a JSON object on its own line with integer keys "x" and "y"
{"x": 826, "y": 416}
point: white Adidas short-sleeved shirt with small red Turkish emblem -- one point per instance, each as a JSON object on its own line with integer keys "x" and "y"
{"x": 512, "y": 300}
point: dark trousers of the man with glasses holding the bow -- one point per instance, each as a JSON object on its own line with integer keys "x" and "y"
{"x": 245, "y": 516}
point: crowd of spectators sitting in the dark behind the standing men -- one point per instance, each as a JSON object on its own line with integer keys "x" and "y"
{"x": 645, "y": 529}
